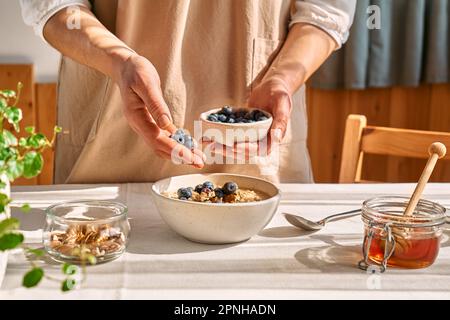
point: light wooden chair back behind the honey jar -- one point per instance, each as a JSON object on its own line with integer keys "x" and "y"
{"x": 359, "y": 138}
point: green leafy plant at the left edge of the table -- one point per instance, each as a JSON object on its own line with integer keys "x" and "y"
{"x": 20, "y": 156}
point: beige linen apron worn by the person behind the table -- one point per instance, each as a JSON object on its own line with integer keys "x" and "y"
{"x": 208, "y": 53}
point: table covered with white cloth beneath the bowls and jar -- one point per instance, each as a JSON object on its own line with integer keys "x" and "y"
{"x": 279, "y": 263}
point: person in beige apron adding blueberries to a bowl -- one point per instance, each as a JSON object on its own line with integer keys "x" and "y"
{"x": 134, "y": 71}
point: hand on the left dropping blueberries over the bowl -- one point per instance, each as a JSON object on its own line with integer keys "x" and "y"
{"x": 147, "y": 112}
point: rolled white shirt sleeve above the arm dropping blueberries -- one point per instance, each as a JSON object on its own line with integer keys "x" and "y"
{"x": 36, "y": 13}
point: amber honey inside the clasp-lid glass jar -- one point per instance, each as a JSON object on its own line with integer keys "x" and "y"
{"x": 407, "y": 253}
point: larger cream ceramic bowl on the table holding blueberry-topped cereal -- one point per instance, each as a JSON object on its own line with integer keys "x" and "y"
{"x": 216, "y": 223}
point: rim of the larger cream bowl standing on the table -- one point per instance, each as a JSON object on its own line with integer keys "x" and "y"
{"x": 211, "y": 204}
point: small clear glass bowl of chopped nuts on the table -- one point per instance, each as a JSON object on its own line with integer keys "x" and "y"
{"x": 77, "y": 231}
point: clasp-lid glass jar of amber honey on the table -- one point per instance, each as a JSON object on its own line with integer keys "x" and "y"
{"x": 395, "y": 240}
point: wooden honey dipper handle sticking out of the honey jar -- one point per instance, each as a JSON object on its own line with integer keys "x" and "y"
{"x": 437, "y": 151}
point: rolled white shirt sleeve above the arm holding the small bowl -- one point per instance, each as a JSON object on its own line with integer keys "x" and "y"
{"x": 333, "y": 16}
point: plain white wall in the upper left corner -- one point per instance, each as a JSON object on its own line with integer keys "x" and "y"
{"x": 19, "y": 44}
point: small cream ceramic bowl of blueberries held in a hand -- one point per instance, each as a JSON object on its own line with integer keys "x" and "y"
{"x": 230, "y": 133}
